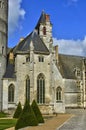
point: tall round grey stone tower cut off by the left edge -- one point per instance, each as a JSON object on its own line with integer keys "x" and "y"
{"x": 3, "y": 42}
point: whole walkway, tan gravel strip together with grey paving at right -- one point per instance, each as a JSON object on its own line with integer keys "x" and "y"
{"x": 75, "y": 119}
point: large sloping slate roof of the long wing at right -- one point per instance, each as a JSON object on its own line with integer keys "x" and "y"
{"x": 68, "y": 64}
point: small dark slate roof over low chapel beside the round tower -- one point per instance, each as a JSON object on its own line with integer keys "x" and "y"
{"x": 9, "y": 71}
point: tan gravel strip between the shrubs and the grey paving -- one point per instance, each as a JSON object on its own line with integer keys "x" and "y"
{"x": 50, "y": 124}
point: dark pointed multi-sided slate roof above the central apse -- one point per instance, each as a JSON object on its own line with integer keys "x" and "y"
{"x": 24, "y": 45}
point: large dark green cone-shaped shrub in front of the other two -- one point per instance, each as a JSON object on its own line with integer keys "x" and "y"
{"x": 27, "y": 117}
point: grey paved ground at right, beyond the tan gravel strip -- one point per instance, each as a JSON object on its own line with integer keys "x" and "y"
{"x": 77, "y": 122}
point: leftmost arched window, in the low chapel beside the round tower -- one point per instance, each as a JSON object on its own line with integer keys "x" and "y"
{"x": 11, "y": 93}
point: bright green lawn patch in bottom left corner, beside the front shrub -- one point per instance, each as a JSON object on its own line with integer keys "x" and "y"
{"x": 7, "y": 123}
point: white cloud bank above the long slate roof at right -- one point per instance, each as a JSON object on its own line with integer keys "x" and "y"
{"x": 71, "y": 47}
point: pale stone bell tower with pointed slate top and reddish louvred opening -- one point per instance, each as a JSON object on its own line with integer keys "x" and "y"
{"x": 44, "y": 28}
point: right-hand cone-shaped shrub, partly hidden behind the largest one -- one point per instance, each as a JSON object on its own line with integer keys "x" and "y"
{"x": 37, "y": 112}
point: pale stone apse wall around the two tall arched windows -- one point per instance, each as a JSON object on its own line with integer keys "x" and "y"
{"x": 23, "y": 69}
